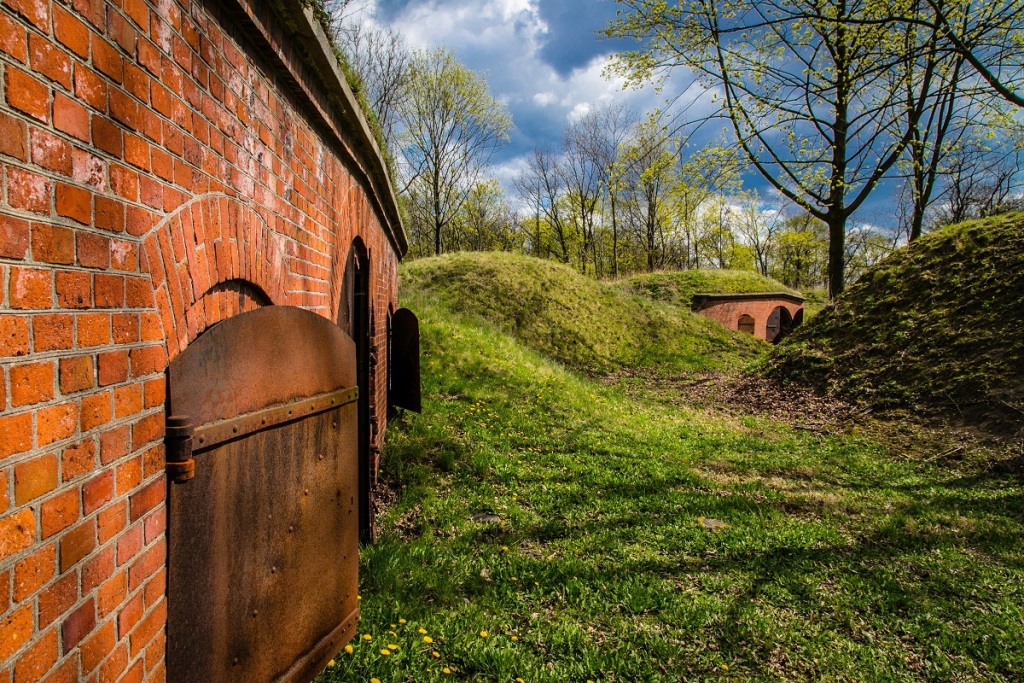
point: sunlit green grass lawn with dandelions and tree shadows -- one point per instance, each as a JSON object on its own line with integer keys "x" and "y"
{"x": 840, "y": 563}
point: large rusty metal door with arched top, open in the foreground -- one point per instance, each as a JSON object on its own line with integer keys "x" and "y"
{"x": 263, "y": 520}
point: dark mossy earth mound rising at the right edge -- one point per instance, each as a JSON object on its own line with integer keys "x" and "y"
{"x": 935, "y": 325}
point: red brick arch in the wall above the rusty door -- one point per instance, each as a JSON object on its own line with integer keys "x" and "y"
{"x": 215, "y": 258}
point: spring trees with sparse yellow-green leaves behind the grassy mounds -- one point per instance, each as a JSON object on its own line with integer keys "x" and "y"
{"x": 626, "y": 192}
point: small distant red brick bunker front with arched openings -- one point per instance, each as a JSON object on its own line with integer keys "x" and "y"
{"x": 770, "y": 316}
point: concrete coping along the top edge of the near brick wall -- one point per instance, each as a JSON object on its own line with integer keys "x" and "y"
{"x": 303, "y": 27}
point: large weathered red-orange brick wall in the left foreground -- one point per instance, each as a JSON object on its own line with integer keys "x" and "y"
{"x": 162, "y": 169}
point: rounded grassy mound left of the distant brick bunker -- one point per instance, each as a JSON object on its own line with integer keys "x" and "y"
{"x": 575, "y": 320}
